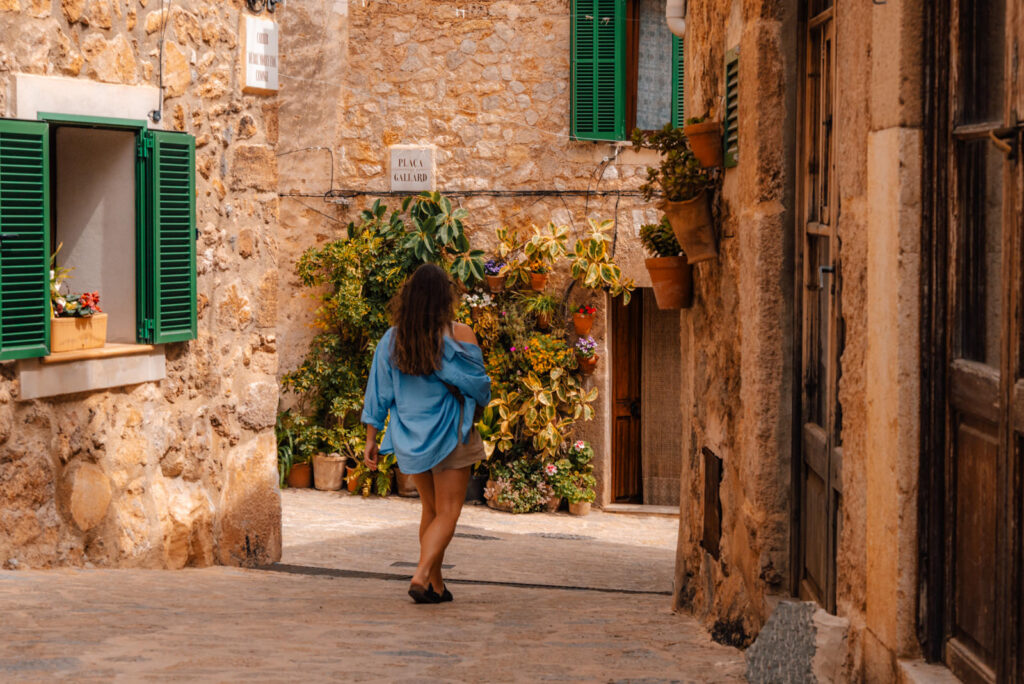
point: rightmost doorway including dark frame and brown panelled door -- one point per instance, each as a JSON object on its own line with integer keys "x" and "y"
{"x": 973, "y": 414}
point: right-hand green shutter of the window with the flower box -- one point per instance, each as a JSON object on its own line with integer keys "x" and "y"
{"x": 173, "y": 237}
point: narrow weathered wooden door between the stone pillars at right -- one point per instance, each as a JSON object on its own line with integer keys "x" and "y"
{"x": 818, "y": 468}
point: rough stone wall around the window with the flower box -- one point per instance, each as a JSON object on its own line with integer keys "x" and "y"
{"x": 182, "y": 472}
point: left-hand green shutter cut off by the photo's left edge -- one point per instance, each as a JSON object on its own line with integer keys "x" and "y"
{"x": 25, "y": 239}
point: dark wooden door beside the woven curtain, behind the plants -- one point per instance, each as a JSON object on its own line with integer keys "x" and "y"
{"x": 627, "y": 347}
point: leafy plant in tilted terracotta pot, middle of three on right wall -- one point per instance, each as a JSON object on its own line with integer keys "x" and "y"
{"x": 686, "y": 186}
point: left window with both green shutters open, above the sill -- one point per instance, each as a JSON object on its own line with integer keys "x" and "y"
{"x": 121, "y": 200}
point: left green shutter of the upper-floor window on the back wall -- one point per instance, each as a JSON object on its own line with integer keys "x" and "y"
{"x": 599, "y": 70}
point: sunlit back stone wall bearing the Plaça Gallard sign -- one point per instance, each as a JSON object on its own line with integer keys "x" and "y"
{"x": 488, "y": 84}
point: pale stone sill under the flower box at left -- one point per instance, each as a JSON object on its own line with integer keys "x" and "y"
{"x": 91, "y": 370}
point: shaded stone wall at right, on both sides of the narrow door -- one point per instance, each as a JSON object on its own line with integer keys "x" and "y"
{"x": 740, "y": 356}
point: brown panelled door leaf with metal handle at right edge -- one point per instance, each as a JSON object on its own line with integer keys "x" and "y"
{"x": 983, "y": 445}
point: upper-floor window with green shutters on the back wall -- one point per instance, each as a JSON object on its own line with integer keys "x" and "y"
{"x": 627, "y": 69}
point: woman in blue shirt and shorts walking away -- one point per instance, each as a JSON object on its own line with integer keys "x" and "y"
{"x": 429, "y": 375}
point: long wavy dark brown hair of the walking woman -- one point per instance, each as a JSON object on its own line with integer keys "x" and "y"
{"x": 421, "y": 314}
